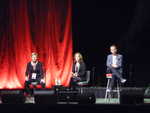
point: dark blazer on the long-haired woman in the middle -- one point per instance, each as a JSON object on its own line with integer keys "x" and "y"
{"x": 82, "y": 69}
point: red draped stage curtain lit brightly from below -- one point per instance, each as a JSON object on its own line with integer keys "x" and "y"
{"x": 43, "y": 26}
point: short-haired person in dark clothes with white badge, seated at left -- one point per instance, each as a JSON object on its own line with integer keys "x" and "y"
{"x": 34, "y": 72}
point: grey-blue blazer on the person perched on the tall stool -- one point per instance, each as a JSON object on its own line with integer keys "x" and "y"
{"x": 119, "y": 62}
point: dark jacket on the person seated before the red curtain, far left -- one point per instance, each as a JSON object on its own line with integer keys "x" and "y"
{"x": 38, "y": 70}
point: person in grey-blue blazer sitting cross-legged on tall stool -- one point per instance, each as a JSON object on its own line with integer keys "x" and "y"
{"x": 114, "y": 66}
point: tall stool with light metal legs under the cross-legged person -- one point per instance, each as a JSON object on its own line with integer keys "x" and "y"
{"x": 108, "y": 94}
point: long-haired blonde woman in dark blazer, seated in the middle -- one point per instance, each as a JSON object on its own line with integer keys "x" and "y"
{"x": 78, "y": 70}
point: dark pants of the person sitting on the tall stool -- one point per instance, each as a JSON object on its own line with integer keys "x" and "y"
{"x": 116, "y": 75}
